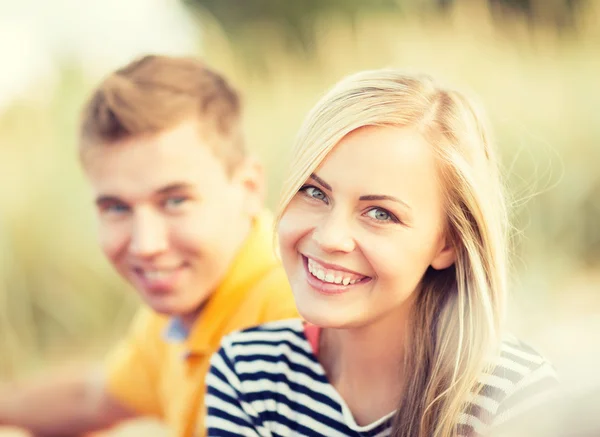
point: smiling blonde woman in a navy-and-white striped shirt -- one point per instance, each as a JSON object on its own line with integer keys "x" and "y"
{"x": 392, "y": 231}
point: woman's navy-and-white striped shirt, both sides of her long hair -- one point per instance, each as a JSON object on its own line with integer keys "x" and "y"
{"x": 267, "y": 382}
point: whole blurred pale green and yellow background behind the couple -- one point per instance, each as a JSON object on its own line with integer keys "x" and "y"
{"x": 534, "y": 64}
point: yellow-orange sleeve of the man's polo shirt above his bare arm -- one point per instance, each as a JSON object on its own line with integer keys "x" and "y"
{"x": 132, "y": 367}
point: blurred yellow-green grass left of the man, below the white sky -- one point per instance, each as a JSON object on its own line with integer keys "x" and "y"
{"x": 58, "y": 296}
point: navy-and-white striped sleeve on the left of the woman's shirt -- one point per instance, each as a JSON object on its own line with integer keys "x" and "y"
{"x": 227, "y": 414}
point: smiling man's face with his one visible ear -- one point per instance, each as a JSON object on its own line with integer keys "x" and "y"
{"x": 171, "y": 219}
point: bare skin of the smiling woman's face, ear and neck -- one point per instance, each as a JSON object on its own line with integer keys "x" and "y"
{"x": 381, "y": 223}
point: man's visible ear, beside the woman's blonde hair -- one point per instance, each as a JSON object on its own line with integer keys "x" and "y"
{"x": 250, "y": 176}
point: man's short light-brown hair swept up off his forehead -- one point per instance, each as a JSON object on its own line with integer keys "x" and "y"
{"x": 157, "y": 92}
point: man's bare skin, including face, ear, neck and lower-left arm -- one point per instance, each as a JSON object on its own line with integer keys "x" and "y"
{"x": 165, "y": 203}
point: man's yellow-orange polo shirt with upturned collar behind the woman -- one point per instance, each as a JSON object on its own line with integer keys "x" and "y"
{"x": 165, "y": 378}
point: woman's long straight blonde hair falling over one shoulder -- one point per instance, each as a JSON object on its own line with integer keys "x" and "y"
{"x": 457, "y": 321}
